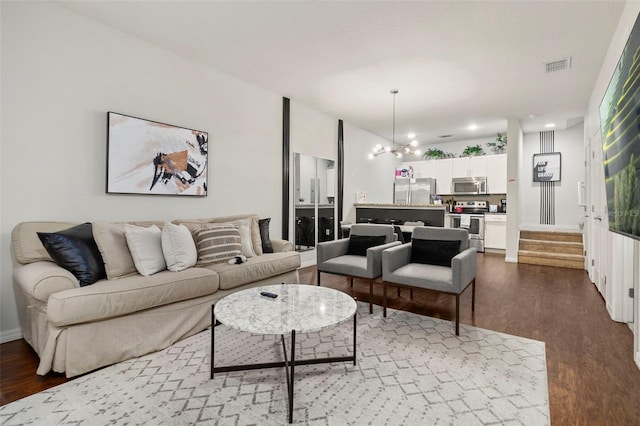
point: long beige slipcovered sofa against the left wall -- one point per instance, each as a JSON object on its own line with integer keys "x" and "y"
{"x": 78, "y": 329}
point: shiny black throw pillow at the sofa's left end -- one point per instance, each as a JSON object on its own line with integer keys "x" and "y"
{"x": 75, "y": 250}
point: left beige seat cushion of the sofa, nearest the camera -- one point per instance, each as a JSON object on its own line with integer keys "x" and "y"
{"x": 108, "y": 299}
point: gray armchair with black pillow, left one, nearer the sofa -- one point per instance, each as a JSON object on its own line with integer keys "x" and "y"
{"x": 335, "y": 257}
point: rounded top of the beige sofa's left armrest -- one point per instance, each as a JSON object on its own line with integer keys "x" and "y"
{"x": 40, "y": 280}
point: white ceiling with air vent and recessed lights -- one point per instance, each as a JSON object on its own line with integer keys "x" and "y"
{"x": 454, "y": 63}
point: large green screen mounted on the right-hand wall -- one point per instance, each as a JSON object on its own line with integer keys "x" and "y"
{"x": 620, "y": 127}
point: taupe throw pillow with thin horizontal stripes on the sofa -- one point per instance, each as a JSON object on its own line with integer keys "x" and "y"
{"x": 217, "y": 243}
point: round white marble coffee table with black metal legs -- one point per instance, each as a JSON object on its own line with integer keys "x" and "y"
{"x": 298, "y": 308}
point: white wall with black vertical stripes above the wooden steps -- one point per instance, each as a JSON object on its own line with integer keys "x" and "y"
{"x": 570, "y": 143}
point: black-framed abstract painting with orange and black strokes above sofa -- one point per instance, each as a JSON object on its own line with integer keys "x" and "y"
{"x": 148, "y": 157}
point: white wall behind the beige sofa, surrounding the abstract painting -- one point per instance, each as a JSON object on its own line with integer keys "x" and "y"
{"x": 61, "y": 73}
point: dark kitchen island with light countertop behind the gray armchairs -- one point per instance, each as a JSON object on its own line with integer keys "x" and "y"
{"x": 398, "y": 214}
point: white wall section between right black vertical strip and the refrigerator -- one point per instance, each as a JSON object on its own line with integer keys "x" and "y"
{"x": 373, "y": 176}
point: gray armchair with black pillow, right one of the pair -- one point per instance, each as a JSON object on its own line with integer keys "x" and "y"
{"x": 438, "y": 259}
